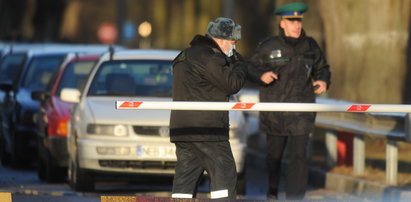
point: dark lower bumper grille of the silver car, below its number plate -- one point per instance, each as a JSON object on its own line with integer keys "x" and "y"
{"x": 138, "y": 164}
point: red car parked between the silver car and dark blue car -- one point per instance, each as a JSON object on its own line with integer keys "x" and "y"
{"x": 52, "y": 116}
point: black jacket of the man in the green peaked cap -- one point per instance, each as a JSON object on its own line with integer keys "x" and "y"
{"x": 297, "y": 62}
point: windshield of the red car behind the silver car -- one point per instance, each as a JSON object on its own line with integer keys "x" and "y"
{"x": 75, "y": 75}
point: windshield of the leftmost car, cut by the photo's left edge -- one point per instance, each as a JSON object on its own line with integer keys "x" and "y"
{"x": 9, "y": 66}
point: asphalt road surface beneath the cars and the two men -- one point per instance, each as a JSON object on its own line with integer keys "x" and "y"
{"x": 25, "y": 186}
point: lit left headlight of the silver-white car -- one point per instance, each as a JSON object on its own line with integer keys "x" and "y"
{"x": 102, "y": 129}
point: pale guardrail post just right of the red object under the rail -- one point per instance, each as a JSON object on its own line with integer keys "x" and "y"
{"x": 359, "y": 155}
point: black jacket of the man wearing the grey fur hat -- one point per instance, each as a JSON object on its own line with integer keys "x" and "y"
{"x": 204, "y": 73}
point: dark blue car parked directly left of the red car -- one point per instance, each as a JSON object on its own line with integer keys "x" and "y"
{"x": 18, "y": 137}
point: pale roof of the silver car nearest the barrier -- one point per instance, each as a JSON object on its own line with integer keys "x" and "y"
{"x": 158, "y": 54}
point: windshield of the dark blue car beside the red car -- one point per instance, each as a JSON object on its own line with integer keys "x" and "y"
{"x": 39, "y": 72}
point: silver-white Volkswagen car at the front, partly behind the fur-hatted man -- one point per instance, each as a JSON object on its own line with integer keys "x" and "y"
{"x": 105, "y": 140}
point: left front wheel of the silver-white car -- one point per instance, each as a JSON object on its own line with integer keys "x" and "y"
{"x": 78, "y": 180}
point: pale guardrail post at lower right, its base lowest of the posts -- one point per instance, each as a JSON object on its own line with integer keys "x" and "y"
{"x": 391, "y": 163}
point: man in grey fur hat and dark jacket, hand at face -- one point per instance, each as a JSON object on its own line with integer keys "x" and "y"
{"x": 209, "y": 70}
